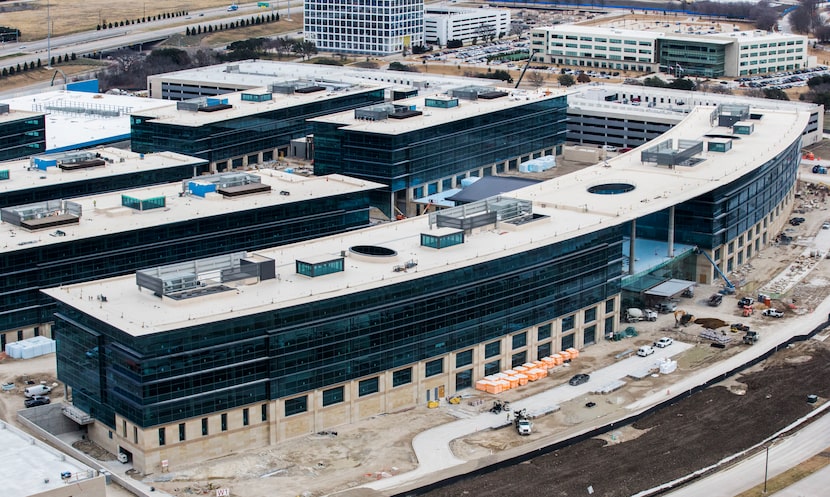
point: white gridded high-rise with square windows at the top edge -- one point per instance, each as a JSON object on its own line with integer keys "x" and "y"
{"x": 376, "y": 27}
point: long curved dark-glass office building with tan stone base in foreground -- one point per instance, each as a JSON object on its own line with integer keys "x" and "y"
{"x": 195, "y": 360}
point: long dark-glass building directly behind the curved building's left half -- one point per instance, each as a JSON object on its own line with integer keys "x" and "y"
{"x": 61, "y": 241}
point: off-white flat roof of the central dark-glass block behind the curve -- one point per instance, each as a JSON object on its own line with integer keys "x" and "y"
{"x": 434, "y": 116}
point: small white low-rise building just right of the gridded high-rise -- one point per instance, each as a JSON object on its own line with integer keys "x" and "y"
{"x": 442, "y": 23}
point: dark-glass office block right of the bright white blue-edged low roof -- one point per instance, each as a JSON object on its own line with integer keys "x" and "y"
{"x": 246, "y": 128}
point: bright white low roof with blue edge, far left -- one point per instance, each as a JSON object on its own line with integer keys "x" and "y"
{"x": 76, "y": 119}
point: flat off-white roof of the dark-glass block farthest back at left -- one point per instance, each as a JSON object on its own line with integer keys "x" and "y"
{"x": 170, "y": 114}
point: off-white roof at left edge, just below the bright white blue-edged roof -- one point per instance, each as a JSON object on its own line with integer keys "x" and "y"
{"x": 23, "y": 176}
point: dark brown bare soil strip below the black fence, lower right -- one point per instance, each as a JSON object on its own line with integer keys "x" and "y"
{"x": 691, "y": 434}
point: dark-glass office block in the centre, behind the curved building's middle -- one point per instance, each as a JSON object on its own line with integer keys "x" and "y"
{"x": 423, "y": 145}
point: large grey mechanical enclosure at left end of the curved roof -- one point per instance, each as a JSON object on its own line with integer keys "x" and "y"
{"x": 205, "y": 276}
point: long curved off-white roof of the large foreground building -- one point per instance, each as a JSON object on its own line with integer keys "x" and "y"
{"x": 571, "y": 211}
